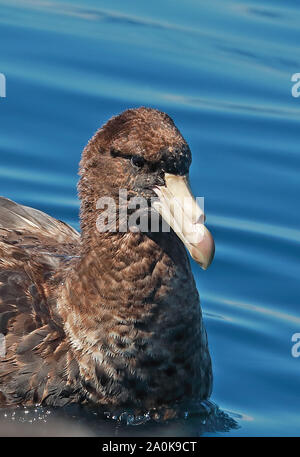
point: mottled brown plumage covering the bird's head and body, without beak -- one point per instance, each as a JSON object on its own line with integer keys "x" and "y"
{"x": 108, "y": 318}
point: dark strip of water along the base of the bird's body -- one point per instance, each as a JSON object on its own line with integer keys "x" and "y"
{"x": 82, "y": 421}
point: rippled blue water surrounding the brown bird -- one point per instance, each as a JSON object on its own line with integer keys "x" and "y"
{"x": 222, "y": 71}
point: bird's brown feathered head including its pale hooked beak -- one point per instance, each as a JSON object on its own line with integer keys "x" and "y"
{"x": 142, "y": 153}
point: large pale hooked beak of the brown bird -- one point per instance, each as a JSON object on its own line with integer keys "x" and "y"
{"x": 179, "y": 208}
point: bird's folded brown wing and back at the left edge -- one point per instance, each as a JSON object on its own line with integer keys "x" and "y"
{"x": 35, "y": 252}
